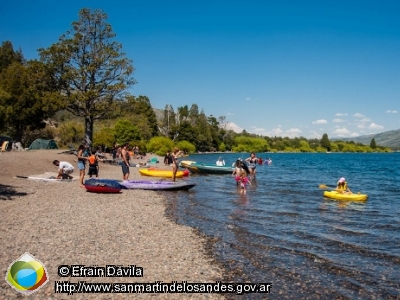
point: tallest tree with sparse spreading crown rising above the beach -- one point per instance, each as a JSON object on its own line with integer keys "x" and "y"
{"x": 91, "y": 71}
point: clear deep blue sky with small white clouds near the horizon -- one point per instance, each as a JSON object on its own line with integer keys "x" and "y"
{"x": 273, "y": 68}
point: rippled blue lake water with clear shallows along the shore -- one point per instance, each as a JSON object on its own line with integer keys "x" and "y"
{"x": 286, "y": 233}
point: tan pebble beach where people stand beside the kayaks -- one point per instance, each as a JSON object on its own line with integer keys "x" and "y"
{"x": 60, "y": 223}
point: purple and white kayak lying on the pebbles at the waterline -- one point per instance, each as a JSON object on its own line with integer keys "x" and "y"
{"x": 157, "y": 185}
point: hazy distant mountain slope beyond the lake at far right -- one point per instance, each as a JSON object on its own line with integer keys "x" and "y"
{"x": 387, "y": 139}
